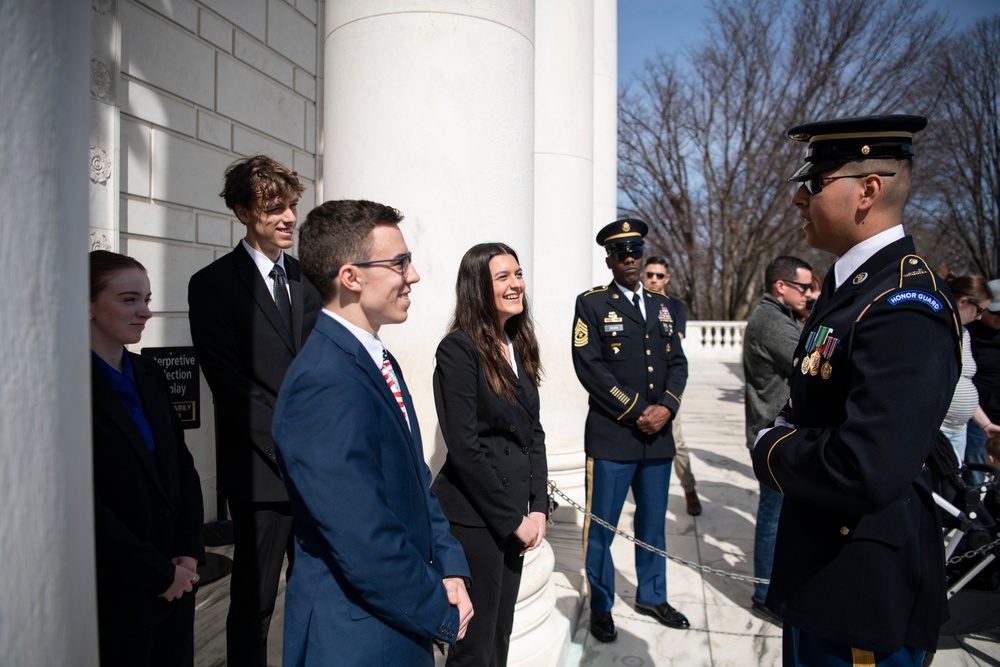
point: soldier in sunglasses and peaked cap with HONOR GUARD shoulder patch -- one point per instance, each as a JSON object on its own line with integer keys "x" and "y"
{"x": 858, "y": 573}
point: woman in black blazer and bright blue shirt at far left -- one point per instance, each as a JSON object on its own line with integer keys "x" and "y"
{"x": 147, "y": 496}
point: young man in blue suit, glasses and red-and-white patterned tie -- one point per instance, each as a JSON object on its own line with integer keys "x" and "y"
{"x": 378, "y": 577}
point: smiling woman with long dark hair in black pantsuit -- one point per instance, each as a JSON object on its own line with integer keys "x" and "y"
{"x": 492, "y": 486}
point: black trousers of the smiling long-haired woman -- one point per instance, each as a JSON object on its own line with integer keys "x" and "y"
{"x": 495, "y": 568}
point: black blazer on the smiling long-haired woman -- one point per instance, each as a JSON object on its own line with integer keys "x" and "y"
{"x": 495, "y": 472}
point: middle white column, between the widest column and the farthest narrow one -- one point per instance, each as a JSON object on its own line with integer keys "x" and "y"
{"x": 564, "y": 213}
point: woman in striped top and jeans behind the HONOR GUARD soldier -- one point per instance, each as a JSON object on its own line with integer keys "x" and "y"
{"x": 972, "y": 295}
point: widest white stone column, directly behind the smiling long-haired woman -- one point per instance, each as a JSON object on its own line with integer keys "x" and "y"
{"x": 429, "y": 107}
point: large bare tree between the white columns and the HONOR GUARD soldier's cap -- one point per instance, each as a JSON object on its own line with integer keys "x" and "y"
{"x": 702, "y": 148}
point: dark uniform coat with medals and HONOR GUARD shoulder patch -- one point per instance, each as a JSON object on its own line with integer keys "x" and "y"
{"x": 859, "y": 557}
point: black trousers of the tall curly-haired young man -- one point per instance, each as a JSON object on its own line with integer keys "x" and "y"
{"x": 263, "y": 535}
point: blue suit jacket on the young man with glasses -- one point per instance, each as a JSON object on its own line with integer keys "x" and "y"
{"x": 372, "y": 544}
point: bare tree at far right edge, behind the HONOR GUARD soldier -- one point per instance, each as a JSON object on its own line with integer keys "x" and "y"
{"x": 963, "y": 189}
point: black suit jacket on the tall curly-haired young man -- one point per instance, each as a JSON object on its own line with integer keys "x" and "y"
{"x": 244, "y": 348}
